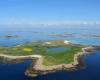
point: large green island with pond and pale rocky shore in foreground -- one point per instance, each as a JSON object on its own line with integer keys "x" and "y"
{"x": 47, "y": 56}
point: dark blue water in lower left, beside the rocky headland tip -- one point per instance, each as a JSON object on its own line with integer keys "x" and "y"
{"x": 14, "y": 71}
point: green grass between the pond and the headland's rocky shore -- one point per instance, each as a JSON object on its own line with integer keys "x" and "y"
{"x": 63, "y": 57}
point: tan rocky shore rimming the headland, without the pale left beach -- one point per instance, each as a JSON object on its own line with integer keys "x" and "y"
{"x": 39, "y": 69}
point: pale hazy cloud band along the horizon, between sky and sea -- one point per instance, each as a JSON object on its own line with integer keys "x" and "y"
{"x": 51, "y": 23}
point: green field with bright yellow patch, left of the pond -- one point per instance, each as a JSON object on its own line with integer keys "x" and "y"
{"x": 22, "y": 50}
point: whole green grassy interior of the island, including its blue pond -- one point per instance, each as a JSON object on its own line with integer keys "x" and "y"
{"x": 64, "y": 55}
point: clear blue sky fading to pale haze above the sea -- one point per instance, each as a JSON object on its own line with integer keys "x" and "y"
{"x": 49, "y": 11}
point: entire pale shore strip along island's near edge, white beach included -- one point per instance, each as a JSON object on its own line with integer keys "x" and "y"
{"x": 37, "y": 68}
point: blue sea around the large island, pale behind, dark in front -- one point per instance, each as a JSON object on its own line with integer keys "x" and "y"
{"x": 28, "y": 34}
